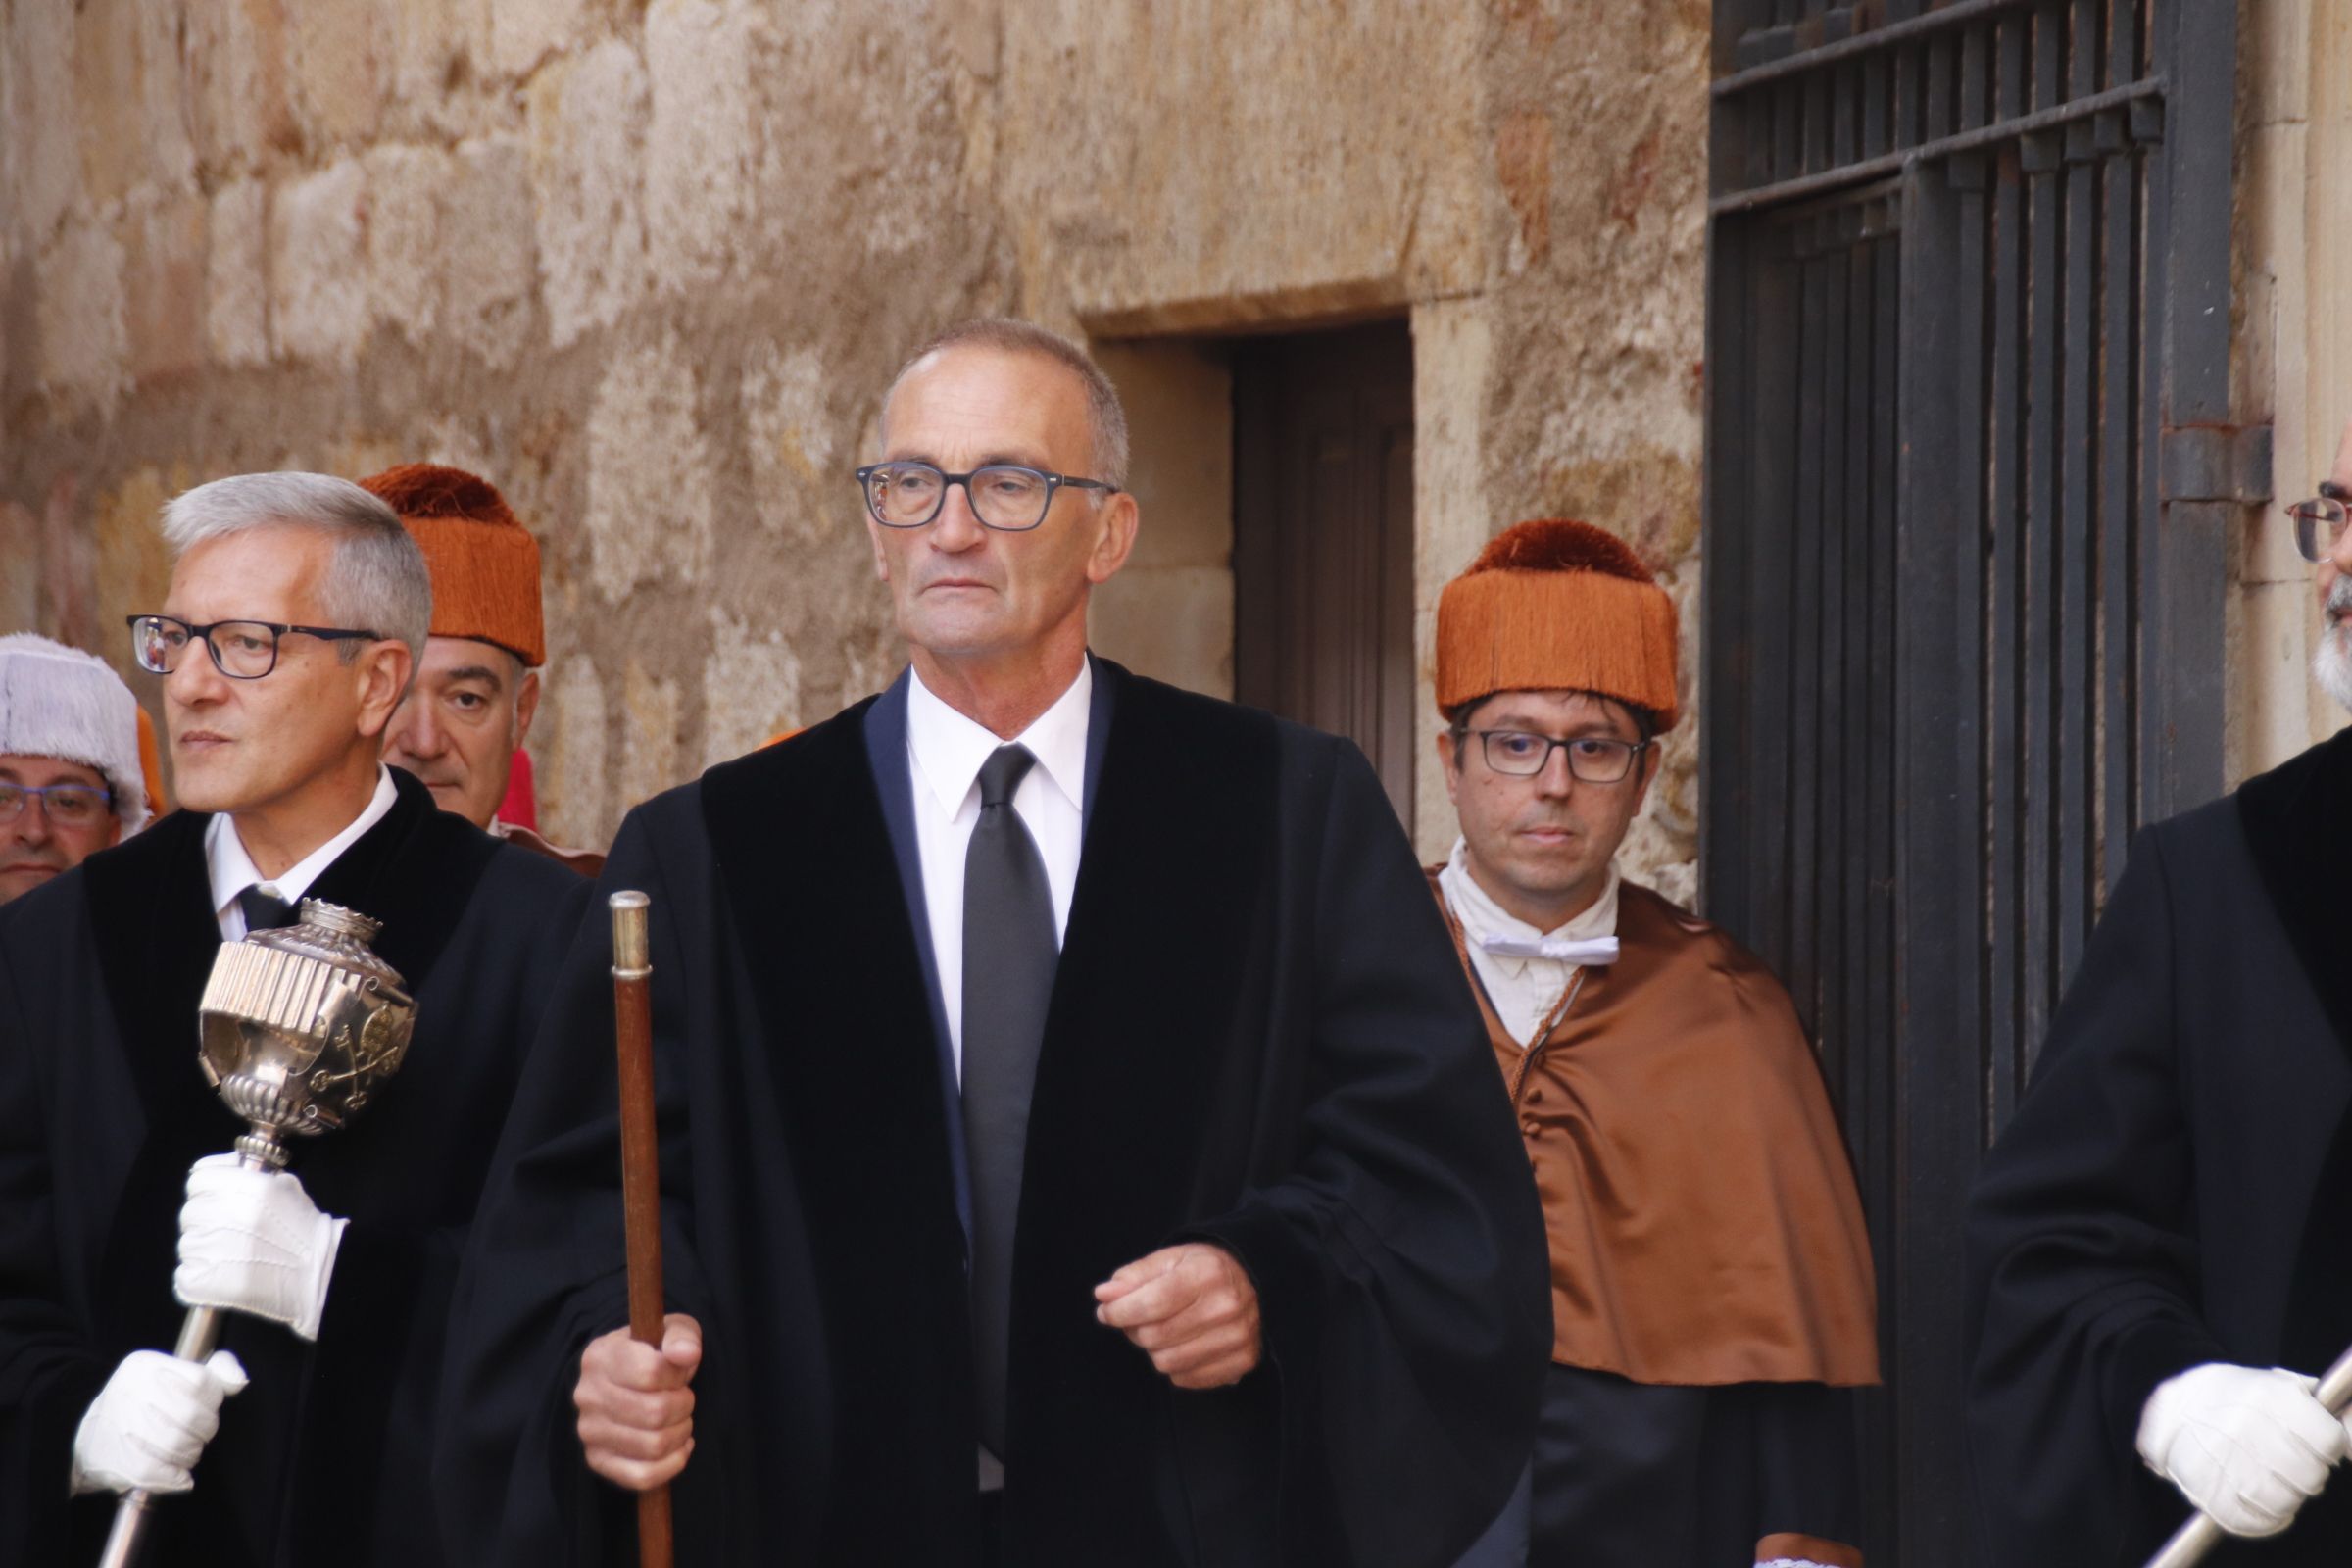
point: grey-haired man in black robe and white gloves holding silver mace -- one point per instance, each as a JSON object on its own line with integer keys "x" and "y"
{"x": 286, "y": 641}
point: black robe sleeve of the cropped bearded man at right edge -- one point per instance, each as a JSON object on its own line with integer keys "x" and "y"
{"x": 2083, "y": 1252}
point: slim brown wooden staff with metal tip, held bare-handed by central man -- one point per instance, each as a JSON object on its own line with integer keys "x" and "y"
{"x": 641, "y": 1170}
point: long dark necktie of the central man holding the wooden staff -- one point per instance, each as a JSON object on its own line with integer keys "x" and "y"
{"x": 1010, "y": 953}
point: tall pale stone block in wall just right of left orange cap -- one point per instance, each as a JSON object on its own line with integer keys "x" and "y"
{"x": 648, "y": 474}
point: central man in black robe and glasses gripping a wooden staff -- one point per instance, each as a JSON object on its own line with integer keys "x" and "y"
{"x": 1022, "y": 937}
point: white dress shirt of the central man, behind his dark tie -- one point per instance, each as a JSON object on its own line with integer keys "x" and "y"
{"x": 944, "y": 753}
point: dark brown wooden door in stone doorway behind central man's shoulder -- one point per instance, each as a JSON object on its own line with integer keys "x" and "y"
{"x": 1323, "y": 537}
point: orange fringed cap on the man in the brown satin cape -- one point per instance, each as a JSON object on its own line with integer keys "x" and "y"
{"x": 1558, "y": 605}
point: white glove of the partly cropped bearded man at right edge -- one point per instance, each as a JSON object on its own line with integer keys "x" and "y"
{"x": 2243, "y": 1445}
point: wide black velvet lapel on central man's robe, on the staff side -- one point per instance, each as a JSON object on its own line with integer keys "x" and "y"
{"x": 810, "y": 883}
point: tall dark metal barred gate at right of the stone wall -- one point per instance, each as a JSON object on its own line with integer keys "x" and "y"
{"x": 1970, "y": 485}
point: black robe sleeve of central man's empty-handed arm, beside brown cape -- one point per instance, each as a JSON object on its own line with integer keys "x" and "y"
{"x": 1401, "y": 1264}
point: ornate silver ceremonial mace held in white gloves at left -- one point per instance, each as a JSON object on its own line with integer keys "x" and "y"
{"x": 298, "y": 1031}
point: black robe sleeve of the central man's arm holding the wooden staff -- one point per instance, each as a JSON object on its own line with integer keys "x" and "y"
{"x": 544, "y": 1268}
